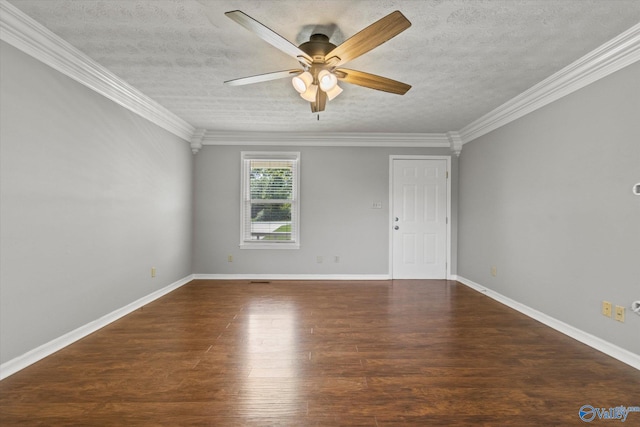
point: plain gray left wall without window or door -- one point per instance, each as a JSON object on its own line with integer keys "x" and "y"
{"x": 92, "y": 197}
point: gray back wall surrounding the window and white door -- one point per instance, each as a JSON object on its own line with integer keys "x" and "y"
{"x": 337, "y": 188}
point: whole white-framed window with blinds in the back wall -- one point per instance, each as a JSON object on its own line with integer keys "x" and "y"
{"x": 270, "y": 205}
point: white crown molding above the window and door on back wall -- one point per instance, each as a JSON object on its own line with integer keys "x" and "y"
{"x": 328, "y": 139}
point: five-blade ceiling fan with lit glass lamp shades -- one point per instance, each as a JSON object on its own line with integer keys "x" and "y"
{"x": 321, "y": 60}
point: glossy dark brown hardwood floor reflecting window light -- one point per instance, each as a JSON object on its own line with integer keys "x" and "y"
{"x": 229, "y": 353}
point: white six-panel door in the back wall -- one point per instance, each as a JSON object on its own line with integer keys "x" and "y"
{"x": 419, "y": 219}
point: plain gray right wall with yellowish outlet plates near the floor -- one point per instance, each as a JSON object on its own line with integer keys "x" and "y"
{"x": 547, "y": 200}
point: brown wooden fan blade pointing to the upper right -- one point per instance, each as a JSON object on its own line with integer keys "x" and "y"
{"x": 372, "y": 36}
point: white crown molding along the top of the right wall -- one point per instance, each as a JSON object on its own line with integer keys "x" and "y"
{"x": 612, "y": 56}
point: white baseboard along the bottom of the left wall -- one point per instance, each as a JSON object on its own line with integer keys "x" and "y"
{"x": 38, "y": 353}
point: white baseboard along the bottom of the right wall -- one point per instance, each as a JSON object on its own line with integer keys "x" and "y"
{"x": 592, "y": 341}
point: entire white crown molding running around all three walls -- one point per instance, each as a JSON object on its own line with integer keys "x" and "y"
{"x": 26, "y": 34}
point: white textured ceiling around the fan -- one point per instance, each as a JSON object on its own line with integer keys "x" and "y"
{"x": 463, "y": 58}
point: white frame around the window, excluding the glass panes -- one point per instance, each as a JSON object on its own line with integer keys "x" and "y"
{"x": 245, "y": 195}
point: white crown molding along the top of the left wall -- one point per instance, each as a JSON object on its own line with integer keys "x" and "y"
{"x": 32, "y": 38}
